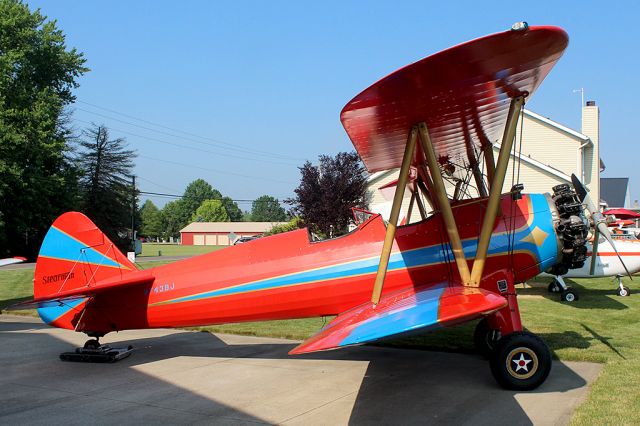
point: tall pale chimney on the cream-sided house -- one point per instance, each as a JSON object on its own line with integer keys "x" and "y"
{"x": 591, "y": 129}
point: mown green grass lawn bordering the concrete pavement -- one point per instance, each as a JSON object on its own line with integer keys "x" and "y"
{"x": 600, "y": 327}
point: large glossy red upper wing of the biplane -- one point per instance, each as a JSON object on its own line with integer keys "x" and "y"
{"x": 461, "y": 93}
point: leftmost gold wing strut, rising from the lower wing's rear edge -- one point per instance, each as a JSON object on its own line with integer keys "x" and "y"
{"x": 395, "y": 212}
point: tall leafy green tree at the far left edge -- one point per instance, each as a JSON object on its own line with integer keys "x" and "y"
{"x": 37, "y": 75}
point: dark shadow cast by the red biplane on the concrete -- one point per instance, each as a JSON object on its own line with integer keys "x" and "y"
{"x": 399, "y": 386}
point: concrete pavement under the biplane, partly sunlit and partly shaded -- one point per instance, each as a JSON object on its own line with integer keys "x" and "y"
{"x": 177, "y": 376}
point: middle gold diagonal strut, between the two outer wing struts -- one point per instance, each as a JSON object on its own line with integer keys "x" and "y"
{"x": 443, "y": 202}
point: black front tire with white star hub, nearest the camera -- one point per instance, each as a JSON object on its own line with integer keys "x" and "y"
{"x": 520, "y": 361}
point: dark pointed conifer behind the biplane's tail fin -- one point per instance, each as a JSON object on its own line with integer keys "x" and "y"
{"x": 106, "y": 190}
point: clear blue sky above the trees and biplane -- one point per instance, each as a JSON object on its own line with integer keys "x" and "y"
{"x": 258, "y": 86}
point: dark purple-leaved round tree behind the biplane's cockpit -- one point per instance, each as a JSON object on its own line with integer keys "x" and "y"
{"x": 328, "y": 191}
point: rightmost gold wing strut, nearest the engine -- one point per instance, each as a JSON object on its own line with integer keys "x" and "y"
{"x": 495, "y": 189}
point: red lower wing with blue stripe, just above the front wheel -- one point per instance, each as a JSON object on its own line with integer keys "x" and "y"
{"x": 402, "y": 312}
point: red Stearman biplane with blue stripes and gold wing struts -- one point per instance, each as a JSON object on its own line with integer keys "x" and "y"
{"x": 458, "y": 264}
